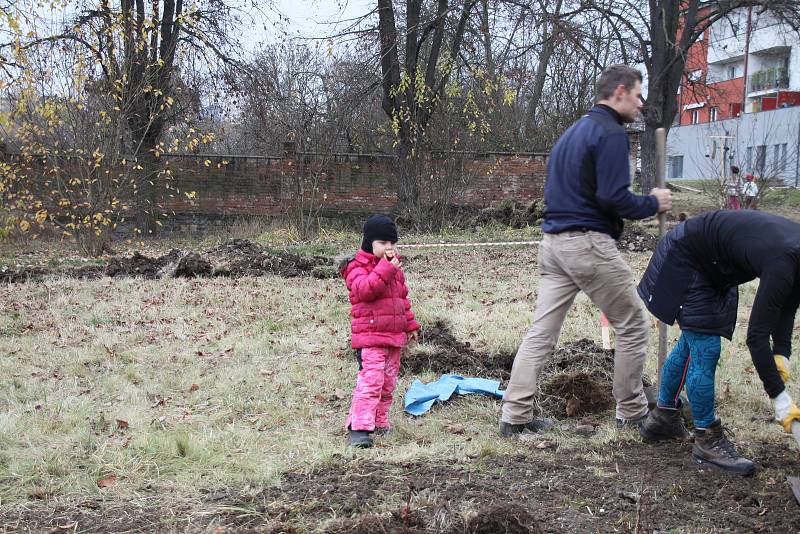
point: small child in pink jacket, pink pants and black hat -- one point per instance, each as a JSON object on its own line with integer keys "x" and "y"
{"x": 381, "y": 322}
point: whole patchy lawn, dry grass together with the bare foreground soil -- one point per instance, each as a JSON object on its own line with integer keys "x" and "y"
{"x": 217, "y": 404}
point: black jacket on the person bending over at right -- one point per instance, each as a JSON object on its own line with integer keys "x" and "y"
{"x": 695, "y": 270}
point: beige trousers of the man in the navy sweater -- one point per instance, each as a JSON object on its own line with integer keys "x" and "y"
{"x": 581, "y": 261}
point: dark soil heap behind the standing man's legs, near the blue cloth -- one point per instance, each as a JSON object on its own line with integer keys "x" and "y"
{"x": 576, "y": 381}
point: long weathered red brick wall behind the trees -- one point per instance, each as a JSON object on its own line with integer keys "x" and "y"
{"x": 346, "y": 183}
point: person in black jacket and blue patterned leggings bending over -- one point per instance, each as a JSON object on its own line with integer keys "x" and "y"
{"x": 693, "y": 277}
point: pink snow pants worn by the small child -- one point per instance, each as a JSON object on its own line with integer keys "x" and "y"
{"x": 372, "y": 396}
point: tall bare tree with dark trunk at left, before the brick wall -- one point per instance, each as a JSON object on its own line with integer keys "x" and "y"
{"x": 140, "y": 47}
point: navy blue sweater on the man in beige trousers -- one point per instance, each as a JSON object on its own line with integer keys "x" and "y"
{"x": 588, "y": 178}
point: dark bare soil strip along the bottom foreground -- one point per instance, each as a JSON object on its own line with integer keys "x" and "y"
{"x": 630, "y": 487}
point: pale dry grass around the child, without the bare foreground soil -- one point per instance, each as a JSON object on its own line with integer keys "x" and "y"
{"x": 178, "y": 386}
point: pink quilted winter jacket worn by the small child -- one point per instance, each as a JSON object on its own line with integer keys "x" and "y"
{"x": 380, "y": 313}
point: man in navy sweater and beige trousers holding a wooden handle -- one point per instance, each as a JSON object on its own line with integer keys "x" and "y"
{"x": 587, "y": 195}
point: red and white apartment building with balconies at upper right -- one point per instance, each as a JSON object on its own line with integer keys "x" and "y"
{"x": 739, "y": 103}
